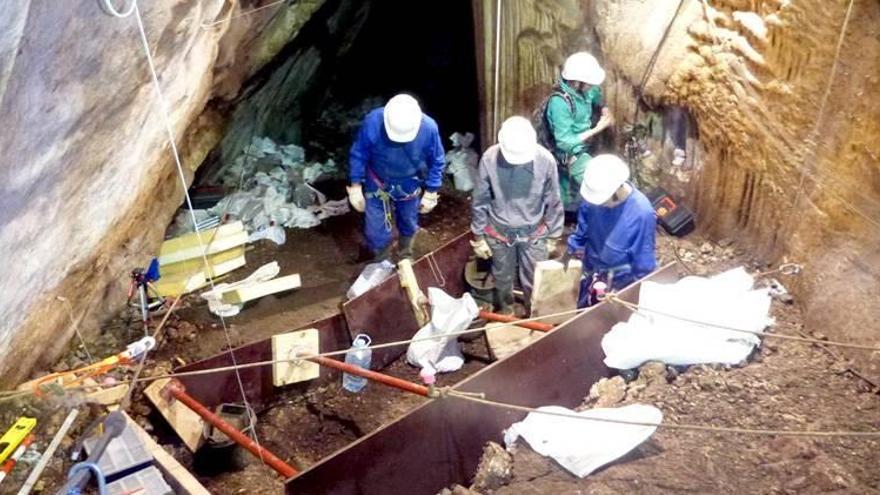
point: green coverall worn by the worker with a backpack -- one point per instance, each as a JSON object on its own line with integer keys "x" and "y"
{"x": 565, "y": 126}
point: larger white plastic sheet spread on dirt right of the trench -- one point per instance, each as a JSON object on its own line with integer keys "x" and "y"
{"x": 727, "y": 299}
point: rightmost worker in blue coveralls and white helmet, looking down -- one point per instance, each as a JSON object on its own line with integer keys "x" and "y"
{"x": 615, "y": 229}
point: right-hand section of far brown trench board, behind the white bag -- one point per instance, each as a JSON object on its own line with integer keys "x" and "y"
{"x": 384, "y": 312}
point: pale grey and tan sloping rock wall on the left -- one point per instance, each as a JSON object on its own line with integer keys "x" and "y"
{"x": 88, "y": 182}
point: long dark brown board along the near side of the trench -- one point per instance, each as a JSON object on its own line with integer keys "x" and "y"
{"x": 440, "y": 442}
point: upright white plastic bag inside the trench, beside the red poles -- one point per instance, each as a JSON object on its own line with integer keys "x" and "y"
{"x": 448, "y": 315}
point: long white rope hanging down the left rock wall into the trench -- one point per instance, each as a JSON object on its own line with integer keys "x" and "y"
{"x": 163, "y": 107}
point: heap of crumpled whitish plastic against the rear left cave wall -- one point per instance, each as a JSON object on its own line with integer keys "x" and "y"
{"x": 277, "y": 189}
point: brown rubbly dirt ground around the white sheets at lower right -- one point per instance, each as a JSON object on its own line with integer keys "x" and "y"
{"x": 786, "y": 386}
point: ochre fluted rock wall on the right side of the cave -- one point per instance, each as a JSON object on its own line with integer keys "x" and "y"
{"x": 752, "y": 73}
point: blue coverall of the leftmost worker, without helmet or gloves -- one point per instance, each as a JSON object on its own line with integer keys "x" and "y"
{"x": 393, "y": 176}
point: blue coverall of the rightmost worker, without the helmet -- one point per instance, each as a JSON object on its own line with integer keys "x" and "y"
{"x": 618, "y": 238}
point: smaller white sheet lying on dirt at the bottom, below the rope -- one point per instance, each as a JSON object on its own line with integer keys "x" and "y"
{"x": 582, "y": 446}
